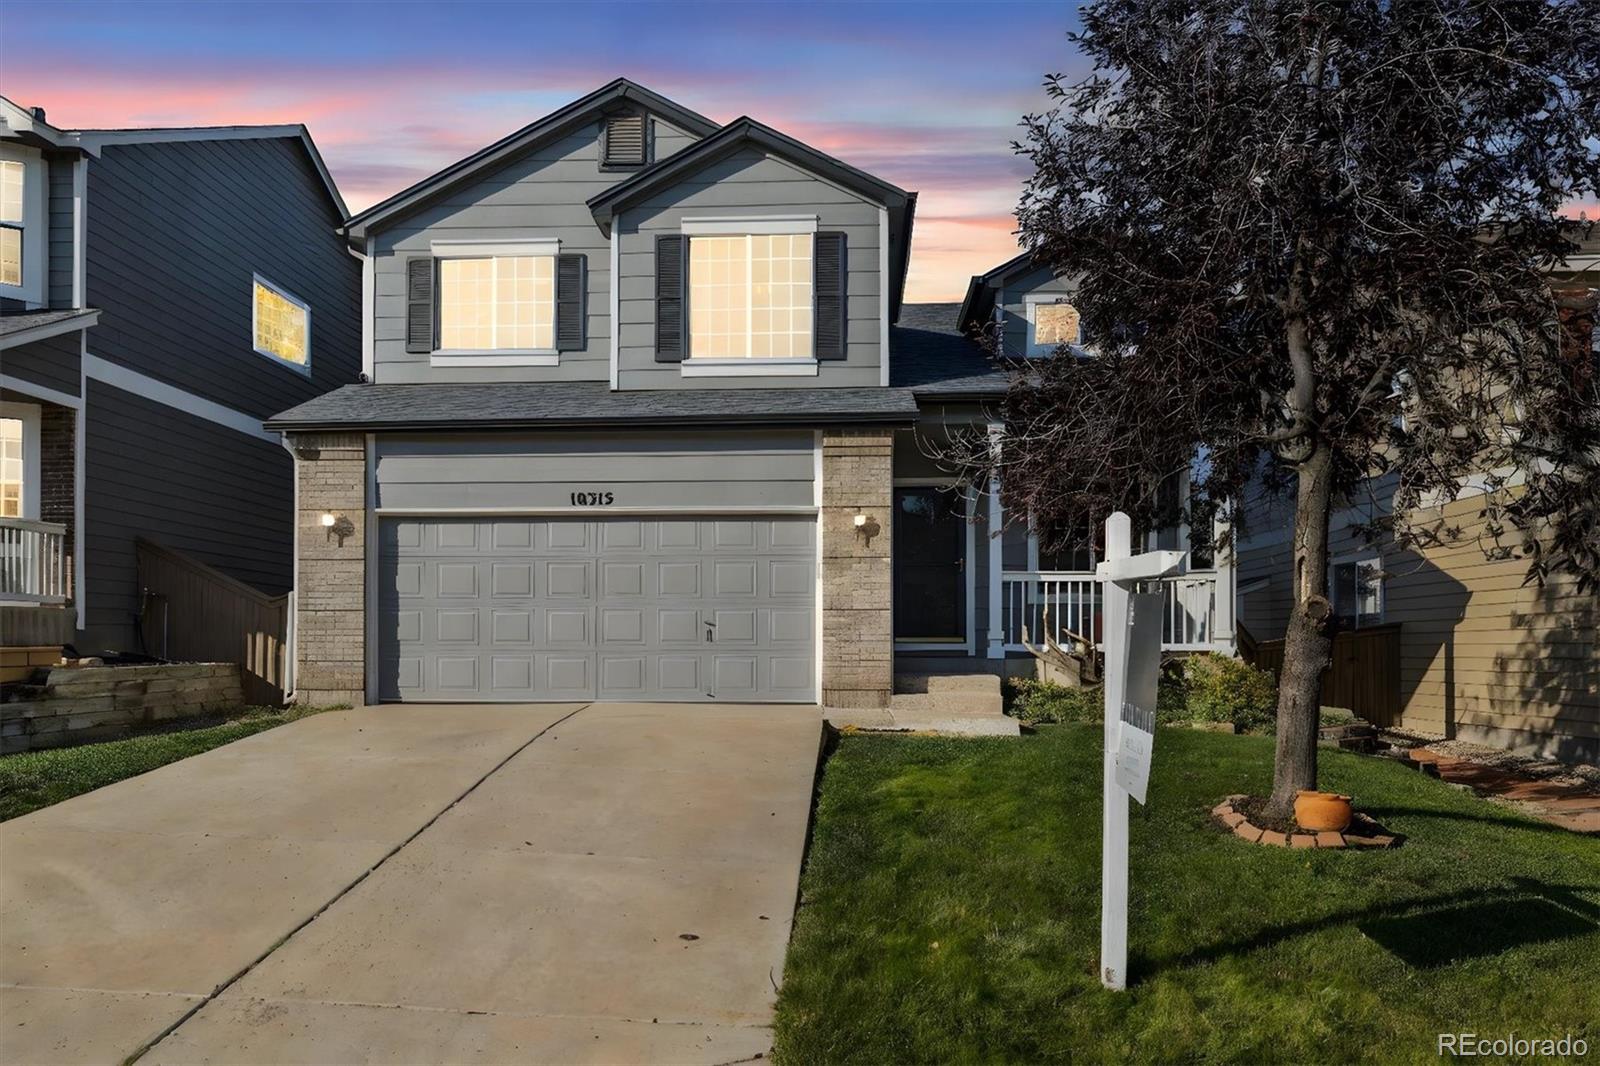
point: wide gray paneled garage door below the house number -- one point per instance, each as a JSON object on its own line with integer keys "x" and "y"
{"x": 626, "y": 609}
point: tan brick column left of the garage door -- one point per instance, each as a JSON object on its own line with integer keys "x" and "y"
{"x": 330, "y": 625}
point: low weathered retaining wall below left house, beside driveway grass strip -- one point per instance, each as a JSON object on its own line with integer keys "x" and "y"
{"x": 90, "y": 703}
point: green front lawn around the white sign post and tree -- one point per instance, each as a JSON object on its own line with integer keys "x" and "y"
{"x": 951, "y": 913}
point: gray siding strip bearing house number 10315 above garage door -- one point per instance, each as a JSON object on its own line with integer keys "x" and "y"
{"x": 540, "y": 473}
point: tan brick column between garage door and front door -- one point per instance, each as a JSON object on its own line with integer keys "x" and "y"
{"x": 858, "y": 638}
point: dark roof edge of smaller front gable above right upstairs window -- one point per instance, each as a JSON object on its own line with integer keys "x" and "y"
{"x": 748, "y": 132}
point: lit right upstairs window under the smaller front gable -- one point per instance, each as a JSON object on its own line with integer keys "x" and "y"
{"x": 751, "y": 297}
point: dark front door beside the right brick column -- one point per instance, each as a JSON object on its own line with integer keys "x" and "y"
{"x": 930, "y": 566}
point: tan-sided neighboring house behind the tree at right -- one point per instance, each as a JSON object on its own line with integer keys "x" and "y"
{"x": 1468, "y": 647}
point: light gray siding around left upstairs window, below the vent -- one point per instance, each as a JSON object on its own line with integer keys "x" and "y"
{"x": 538, "y": 196}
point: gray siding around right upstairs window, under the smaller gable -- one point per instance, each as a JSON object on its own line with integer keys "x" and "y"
{"x": 750, "y": 183}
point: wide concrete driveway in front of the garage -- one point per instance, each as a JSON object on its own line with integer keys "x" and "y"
{"x": 546, "y": 883}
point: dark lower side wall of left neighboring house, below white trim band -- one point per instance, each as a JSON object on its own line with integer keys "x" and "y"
{"x": 188, "y": 484}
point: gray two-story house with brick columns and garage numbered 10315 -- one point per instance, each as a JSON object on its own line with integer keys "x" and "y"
{"x": 647, "y": 420}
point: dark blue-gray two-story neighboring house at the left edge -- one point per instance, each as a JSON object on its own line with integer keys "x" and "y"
{"x": 161, "y": 294}
